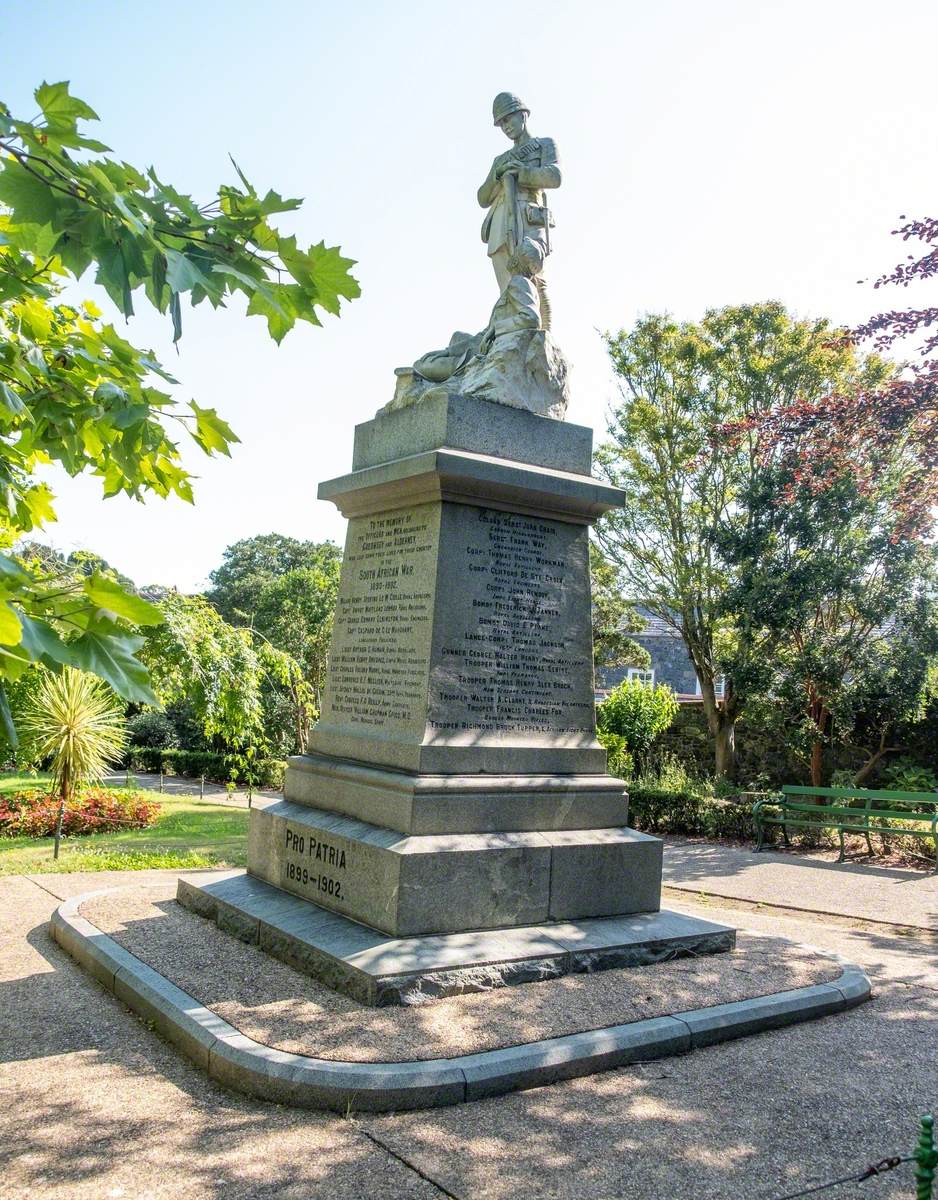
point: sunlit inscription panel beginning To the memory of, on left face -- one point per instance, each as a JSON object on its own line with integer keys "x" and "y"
{"x": 380, "y": 662}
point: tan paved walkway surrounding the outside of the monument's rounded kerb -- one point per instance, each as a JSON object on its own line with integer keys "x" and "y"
{"x": 94, "y": 1106}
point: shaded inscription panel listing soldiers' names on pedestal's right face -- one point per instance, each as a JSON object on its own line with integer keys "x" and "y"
{"x": 513, "y": 651}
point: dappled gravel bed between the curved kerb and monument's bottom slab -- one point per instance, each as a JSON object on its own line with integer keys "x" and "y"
{"x": 280, "y": 1007}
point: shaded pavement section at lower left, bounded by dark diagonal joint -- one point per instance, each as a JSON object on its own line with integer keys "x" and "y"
{"x": 98, "y": 1106}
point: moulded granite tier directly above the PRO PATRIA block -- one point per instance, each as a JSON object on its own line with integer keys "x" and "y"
{"x": 425, "y": 805}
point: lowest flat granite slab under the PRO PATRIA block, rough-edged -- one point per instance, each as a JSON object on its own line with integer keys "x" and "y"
{"x": 378, "y": 970}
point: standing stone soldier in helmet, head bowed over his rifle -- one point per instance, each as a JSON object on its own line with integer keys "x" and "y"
{"x": 518, "y": 226}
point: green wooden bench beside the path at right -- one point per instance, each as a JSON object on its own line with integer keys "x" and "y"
{"x": 849, "y": 811}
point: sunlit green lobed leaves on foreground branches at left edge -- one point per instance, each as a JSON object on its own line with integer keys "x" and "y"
{"x": 75, "y": 392}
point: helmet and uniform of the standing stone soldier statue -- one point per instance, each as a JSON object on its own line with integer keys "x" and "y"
{"x": 503, "y": 231}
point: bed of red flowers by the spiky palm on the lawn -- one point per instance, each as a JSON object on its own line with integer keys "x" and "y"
{"x": 35, "y": 814}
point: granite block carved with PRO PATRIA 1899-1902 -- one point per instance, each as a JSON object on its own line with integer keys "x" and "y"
{"x": 438, "y": 884}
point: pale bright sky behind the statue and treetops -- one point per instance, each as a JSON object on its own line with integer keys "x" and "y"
{"x": 713, "y": 153}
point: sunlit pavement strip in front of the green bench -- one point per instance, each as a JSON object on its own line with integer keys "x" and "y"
{"x": 814, "y": 884}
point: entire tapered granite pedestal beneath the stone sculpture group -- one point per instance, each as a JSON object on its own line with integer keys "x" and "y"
{"x": 454, "y": 817}
